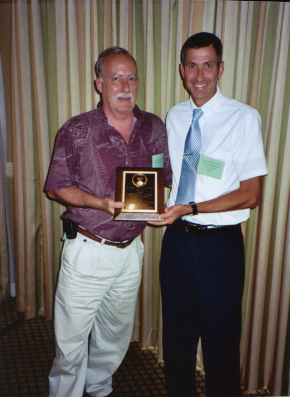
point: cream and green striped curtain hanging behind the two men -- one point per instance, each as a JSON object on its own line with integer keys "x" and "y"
{"x": 54, "y": 45}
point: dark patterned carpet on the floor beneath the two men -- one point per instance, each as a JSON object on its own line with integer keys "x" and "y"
{"x": 26, "y": 354}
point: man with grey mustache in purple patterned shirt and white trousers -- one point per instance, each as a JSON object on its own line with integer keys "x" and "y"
{"x": 101, "y": 259}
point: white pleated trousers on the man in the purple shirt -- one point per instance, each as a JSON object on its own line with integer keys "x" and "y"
{"x": 96, "y": 294}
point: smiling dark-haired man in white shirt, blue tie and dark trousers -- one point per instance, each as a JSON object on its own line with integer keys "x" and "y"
{"x": 202, "y": 261}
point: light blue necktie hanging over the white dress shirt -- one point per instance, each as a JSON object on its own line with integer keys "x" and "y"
{"x": 187, "y": 181}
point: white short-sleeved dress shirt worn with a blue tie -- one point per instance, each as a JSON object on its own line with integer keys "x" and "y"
{"x": 230, "y": 132}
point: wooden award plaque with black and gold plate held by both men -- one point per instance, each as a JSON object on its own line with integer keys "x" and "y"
{"x": 142, "y": 191}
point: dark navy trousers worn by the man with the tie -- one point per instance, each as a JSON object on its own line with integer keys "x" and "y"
{"x": 202, "y": 281}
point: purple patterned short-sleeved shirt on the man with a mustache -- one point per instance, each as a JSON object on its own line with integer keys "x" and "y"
{"x": 86, "y": 153}
